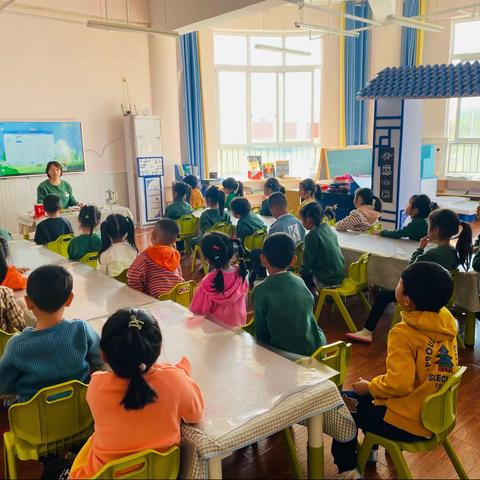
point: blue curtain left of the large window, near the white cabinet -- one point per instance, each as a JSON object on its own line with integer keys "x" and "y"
{"x": 193, "y": 101}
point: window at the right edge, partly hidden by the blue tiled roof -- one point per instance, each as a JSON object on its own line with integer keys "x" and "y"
{"x": 463, "y": 126}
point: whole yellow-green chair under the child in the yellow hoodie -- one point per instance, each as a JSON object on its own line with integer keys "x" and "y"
{"x": 438, "y": 416}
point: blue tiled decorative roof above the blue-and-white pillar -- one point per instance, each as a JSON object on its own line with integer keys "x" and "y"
{"x": 425, "y": 81}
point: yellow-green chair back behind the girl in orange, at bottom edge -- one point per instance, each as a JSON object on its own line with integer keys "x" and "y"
{"x": 147, "y": 464}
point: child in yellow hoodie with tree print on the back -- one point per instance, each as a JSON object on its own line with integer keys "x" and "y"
{"x": 421, "y": 356}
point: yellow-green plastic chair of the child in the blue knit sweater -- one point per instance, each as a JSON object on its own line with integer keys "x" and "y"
{"x": 53, "y": 420}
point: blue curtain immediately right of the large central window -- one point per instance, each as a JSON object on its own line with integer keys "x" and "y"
{"x": 357, "y": 71}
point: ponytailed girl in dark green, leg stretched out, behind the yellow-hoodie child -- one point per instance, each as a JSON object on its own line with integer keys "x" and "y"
{"x": 443, "y": 225}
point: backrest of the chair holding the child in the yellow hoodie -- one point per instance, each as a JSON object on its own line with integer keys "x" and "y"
{"x": 439, "y": 409}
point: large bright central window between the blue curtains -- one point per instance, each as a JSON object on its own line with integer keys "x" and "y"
{"x": 268, "y": 100}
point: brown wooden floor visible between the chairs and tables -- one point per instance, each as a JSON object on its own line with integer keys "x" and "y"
{"x": 268, "y": 458}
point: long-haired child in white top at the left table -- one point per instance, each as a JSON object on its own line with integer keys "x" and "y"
{"x": 118, "y": 249}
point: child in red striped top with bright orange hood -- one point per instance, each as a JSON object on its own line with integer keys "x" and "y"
{"x": 157, "y": 269}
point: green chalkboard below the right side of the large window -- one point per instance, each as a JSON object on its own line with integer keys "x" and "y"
{"x": 355, "y": 161}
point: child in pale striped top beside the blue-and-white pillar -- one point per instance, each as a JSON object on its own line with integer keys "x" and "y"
{"x": 368, "y": 209}
